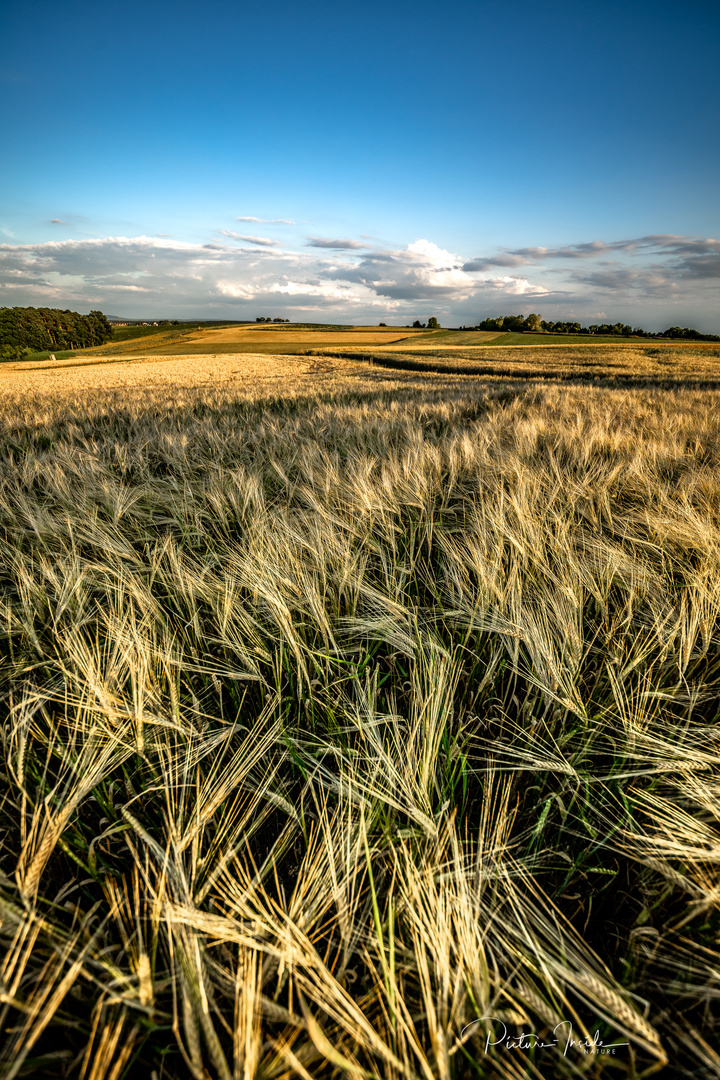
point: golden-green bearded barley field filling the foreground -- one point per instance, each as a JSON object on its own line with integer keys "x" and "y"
{"x": 358, "y": 723}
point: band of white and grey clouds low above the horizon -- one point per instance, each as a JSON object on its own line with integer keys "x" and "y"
{"x": 640, "y": 280}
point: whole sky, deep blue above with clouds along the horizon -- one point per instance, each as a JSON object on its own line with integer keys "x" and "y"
{"x": 363, "y": 164}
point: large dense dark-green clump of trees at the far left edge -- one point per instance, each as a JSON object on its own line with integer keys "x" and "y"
{"x": 36, "y": 330}
